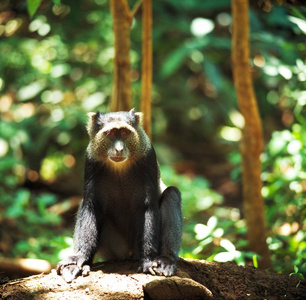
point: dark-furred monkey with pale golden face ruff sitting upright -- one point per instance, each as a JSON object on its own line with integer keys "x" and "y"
{"x": 127, "y": 212}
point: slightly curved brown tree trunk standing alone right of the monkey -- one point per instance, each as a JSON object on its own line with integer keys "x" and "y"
{"x": 251, "y": 145}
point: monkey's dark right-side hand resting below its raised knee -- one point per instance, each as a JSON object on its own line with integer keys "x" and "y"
{"x": 161, "y": 265}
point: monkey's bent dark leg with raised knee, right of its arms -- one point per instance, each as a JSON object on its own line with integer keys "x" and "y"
{"x": 171, "y": 232}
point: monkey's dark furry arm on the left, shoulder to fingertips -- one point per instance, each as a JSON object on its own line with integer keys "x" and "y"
{"x": 87, "y": 229}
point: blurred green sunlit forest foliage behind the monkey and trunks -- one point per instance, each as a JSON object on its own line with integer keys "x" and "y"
{"x": 57, "y": 66}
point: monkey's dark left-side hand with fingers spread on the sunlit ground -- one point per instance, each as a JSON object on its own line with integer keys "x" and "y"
{"x": 71, "y": 267}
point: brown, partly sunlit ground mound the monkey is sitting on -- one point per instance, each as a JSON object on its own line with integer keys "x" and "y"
{"x": 195, "y": 279}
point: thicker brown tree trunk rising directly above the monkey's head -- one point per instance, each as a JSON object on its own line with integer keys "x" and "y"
{"x": 122, "y": 19}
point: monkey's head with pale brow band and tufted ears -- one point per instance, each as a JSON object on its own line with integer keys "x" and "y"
{"x": 117, "y": 139}
